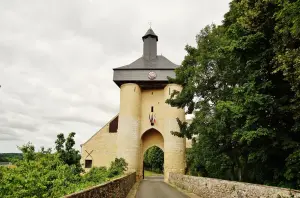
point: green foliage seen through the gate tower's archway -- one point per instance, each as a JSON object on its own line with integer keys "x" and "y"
{"x": 154, "y": 160}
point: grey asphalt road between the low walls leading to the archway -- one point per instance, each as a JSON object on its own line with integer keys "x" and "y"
{"x": 155, "y": 187}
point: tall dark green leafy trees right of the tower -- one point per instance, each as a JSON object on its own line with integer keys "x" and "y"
{"x": 242, "y": 83}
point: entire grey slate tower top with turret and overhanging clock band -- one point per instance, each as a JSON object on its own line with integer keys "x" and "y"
{"x": 138, "y": 71}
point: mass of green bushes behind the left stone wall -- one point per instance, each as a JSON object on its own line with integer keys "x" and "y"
{"x": 47, "y": 174}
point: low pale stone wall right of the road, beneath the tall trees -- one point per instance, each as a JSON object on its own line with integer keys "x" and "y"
{"x": 216, "y": 188}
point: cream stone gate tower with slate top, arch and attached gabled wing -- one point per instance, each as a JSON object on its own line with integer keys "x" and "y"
{"x": 144, "y": 119}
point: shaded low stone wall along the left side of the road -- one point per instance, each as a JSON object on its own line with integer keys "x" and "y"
{"x": 117, "y": 188}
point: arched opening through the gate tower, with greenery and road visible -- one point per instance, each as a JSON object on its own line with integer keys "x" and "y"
{"x": 153, "y": 162}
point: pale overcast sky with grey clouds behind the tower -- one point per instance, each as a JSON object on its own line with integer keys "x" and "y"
{"x": 57, "y": 56}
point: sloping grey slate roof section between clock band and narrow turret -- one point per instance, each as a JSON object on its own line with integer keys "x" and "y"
{"x": 161, "y": 63}
